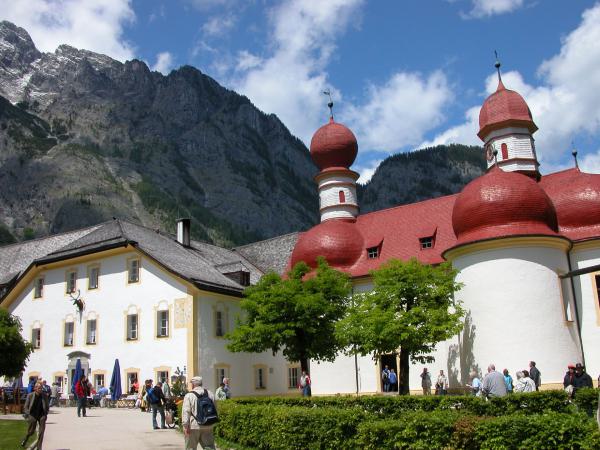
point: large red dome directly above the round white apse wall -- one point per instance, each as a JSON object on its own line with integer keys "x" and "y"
{"x": 501, "y": 204}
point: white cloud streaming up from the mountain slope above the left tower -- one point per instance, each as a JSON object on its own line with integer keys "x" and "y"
{"x": 289, "y": 81}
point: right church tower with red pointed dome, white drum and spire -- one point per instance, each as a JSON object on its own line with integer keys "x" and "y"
{"x": 506, "y": 126}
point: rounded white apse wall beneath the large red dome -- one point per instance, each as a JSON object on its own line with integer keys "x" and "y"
{"x": 514, "y": 299}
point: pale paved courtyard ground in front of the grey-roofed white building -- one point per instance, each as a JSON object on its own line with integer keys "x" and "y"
{"x": 106, "y": 429}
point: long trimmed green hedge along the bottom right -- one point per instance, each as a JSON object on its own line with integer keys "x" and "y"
{"x": 539, "y": 420}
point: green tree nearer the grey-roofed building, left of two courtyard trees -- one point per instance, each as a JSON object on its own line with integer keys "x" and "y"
{"x": 296, "y": 314}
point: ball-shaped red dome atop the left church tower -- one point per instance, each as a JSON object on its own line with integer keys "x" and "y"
{"x": 333, "y": 145}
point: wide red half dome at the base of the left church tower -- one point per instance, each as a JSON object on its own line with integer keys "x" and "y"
{"x": 338, "y": 241}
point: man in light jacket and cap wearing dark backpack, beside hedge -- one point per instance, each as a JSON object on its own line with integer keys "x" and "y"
{"x": 199, "y": 414}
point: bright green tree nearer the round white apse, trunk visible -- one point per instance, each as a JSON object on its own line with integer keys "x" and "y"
{"x": 410, "y": 309}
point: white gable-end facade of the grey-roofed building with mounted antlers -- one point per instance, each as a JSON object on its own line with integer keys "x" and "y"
{"x": 109, "y": 303}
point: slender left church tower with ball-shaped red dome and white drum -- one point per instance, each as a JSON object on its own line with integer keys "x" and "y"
{"x": 333, "y": 149}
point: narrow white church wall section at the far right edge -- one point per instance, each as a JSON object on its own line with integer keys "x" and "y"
{"x": 588, "y": 305}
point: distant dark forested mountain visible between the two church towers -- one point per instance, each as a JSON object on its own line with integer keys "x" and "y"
{"x": 427, "y": 173}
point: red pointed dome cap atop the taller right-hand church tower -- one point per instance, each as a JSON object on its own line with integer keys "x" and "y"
{"x": 504, "y": 108}
